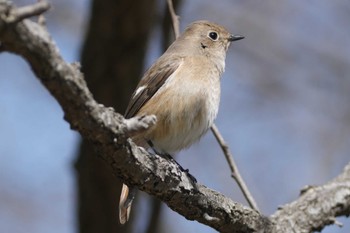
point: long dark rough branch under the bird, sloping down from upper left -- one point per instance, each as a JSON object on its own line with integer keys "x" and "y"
{"x": 107, "y": 130}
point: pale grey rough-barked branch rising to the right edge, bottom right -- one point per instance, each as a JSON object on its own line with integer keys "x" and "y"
{"x": 317, "y": 207}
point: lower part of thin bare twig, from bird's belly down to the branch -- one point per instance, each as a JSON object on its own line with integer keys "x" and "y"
{"x": 234, "y": 169}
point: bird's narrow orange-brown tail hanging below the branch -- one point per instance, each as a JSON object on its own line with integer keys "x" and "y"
{"x": 126, "y": 197}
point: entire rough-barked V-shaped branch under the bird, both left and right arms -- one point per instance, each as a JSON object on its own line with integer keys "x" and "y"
{"x": 108, "y": 131}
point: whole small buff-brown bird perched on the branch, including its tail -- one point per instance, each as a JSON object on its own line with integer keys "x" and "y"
{"x": 182, "y": 89}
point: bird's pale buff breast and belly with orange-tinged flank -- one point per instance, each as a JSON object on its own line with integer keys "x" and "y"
{"x": 186, "y": 107}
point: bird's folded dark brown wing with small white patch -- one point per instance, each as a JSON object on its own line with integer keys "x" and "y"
{"x": 152, "y": 81}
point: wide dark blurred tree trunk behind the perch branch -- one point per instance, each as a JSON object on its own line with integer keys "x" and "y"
{"x": 112, "y": 61}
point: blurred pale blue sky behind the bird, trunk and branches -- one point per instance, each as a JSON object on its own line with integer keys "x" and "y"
{"x": 284, "y": 112}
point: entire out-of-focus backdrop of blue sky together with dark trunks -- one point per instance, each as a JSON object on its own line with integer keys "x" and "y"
{"x": 285, "y": 110}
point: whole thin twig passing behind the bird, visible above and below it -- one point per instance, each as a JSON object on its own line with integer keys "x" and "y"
{"x": 228, "y": 155}
